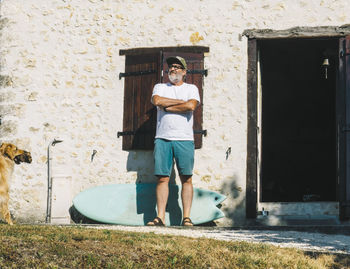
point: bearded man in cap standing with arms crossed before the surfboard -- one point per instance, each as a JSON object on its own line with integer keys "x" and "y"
{"x": 175, "y": 103}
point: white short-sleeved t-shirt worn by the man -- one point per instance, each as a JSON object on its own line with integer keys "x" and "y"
{"x": 175, "y": 126}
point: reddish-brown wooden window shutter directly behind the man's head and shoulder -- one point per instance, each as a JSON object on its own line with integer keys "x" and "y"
{"x": 195, "y": 61}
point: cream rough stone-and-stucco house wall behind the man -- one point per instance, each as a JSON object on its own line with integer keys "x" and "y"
{"x": 59, "y": 73}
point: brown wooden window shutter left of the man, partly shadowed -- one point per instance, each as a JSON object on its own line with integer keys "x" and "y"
{"x": 142, "y": 72}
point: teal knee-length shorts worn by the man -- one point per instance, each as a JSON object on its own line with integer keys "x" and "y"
{"x": 165, "y": 151}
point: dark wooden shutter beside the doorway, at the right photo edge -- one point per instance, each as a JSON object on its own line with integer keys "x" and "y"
{"x": 343, "y": 130}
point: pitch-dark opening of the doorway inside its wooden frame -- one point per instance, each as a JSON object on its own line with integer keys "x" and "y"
{"x": 298, "y": 122}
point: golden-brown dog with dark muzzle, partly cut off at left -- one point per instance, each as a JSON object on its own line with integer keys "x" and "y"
{"x": 9, "y": 156}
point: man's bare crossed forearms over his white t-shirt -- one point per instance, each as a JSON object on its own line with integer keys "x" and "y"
{"x": 174, "y": 105}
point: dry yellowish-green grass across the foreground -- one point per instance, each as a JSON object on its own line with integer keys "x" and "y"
{"x": 27, "y": 246}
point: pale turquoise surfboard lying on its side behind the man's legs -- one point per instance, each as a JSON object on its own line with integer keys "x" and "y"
{"x": 135, "y": 204}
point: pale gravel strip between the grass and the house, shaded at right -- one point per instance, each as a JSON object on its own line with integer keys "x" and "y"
{"x": 307, "y": 241}
